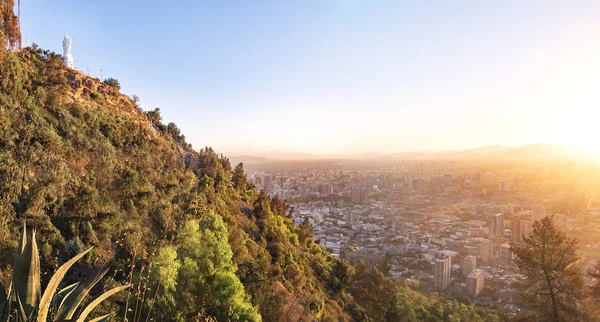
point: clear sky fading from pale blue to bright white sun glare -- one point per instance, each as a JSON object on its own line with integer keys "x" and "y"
{"x": 344, "y": 76}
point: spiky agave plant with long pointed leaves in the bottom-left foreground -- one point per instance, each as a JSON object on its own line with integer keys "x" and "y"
{"x": 24, "y": 301}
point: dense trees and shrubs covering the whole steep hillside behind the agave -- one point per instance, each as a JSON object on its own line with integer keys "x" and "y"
{"x": 85, "y": 166}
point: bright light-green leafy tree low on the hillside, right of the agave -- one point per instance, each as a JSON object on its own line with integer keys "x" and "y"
{"x": 206, "y": 279}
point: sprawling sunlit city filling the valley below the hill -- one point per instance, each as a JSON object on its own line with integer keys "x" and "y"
{"x": 454, "y": 232}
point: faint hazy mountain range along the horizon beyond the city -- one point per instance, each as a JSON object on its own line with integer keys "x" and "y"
{"x": 499, "y": 152}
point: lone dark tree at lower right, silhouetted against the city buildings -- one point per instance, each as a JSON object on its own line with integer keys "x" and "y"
{"x": 549, "y": 260}
